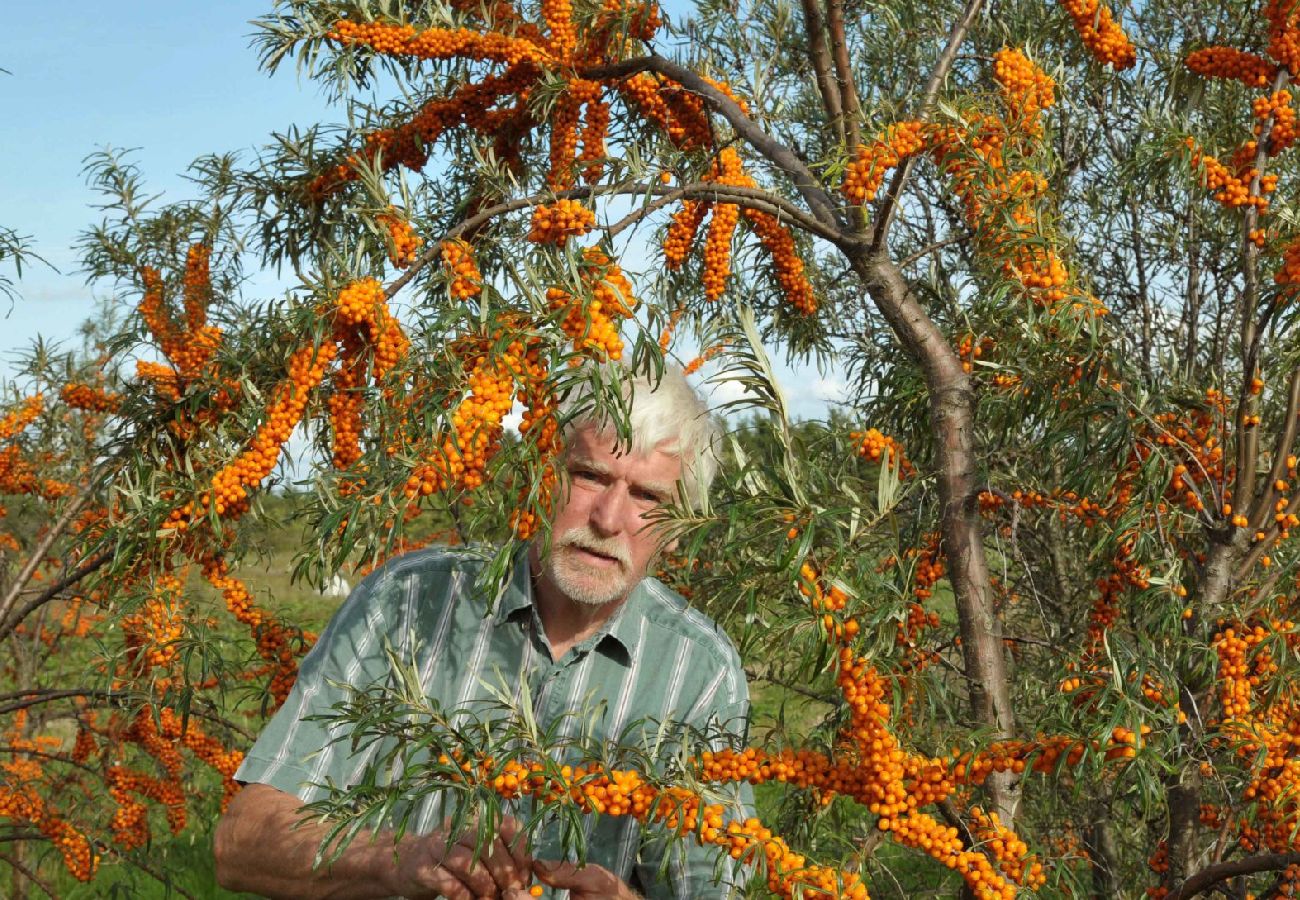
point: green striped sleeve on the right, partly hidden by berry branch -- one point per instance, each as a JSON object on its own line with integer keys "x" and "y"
{"x": 684, "y": 869}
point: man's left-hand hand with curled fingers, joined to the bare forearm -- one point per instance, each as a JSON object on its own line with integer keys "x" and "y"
{"x": 428, "y": 868}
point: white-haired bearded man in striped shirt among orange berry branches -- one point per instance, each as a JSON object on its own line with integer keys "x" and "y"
{"x": 580, "y": 625}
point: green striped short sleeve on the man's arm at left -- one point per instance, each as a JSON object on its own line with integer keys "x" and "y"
{"x": 302, "y": 756}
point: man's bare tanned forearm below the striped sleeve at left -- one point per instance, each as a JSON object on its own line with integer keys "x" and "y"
{"x": 265, "y": 846}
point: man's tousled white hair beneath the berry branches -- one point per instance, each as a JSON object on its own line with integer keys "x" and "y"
{"x": 665, "y": 414}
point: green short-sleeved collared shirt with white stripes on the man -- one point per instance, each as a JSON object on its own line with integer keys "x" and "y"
{"x": 655, "y": 660}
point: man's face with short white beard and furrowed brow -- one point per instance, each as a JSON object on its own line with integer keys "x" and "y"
{"x": 603, "y": 540}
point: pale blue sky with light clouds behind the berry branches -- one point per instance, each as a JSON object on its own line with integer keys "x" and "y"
{"x": 172, "y": 79}
